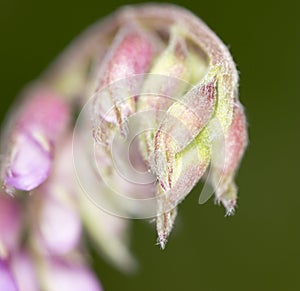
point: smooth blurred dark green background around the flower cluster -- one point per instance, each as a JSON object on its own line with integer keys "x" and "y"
{"x": 258, "y": 248}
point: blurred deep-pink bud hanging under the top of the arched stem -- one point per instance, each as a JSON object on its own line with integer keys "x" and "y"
{"x": 131, "y": 53}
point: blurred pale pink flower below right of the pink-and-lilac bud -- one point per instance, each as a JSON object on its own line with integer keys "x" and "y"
{"x": 54, "y": 207}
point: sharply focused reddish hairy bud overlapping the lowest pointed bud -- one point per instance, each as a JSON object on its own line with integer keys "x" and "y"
{"x": 184, "y": 120}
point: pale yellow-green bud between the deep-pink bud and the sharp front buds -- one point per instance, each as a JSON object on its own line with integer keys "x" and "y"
{"x": 173, "y": 63}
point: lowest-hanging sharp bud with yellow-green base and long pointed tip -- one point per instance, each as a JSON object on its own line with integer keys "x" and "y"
{"x": 188, "y": 167}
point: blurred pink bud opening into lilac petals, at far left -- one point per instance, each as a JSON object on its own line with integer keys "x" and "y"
{"x": 37, "y": 127}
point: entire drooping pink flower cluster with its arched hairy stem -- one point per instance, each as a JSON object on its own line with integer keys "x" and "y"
{"x": 157, "y": 91}
